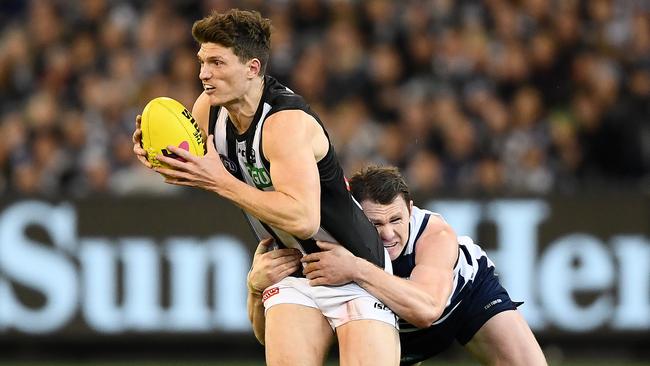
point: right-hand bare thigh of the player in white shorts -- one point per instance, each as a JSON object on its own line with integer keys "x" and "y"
{"x": 368, "y": 342}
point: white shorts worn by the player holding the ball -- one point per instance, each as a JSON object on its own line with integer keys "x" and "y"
{"x": 339, "y": 304}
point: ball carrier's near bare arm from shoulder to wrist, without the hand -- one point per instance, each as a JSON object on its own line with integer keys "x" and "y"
{"x": 294, "y": 206}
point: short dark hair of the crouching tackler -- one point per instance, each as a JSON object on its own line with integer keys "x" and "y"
{"x": 379, "y": 184}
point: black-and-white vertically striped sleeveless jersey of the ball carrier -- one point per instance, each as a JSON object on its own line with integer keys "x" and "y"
{"x": 342, "y": 219}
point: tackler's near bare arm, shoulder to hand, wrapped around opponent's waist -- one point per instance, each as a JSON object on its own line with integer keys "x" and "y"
{"x": 419, "y": 300}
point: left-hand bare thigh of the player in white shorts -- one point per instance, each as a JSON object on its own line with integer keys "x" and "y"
{"x": 296, "y": 335}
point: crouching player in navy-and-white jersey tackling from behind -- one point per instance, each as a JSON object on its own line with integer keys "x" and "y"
{"x": 447, "y": 290}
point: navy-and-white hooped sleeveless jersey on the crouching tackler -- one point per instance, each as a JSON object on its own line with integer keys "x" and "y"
{"x": 471, "y": 259}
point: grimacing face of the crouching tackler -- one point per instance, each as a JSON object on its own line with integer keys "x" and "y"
{"x": 392, "y": 223}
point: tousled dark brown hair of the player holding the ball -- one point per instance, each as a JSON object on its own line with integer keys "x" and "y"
{"x": 246, "y": 32}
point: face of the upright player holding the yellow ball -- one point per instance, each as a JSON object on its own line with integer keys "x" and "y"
{"x": 225, "y": 78}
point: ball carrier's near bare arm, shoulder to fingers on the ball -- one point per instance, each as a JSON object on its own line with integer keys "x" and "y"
{"x": 292, "y": 143}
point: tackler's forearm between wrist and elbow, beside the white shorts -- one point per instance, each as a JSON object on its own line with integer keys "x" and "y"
{"x": 404, "y": 297}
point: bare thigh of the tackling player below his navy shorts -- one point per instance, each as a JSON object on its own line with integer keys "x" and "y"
{"x": 506, "y": 339}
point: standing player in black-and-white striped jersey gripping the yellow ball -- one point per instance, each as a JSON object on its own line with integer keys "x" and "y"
{"x": 269, "y": 154}
